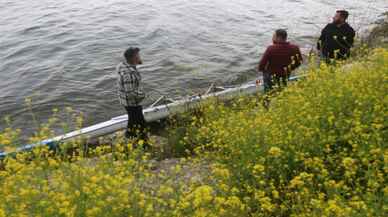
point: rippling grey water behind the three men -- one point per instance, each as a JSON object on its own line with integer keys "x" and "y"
{"x": 63, "y": 53}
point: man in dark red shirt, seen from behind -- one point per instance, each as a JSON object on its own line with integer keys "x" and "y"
{"x": 279, "y": 60}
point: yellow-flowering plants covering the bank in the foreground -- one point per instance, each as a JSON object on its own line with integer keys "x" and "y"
{"x": 319, "y": 150}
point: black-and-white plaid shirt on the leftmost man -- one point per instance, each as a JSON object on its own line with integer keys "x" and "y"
{"x": 128, "y": 83}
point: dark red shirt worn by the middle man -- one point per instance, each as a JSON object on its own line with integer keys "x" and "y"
{"x": 281, "y": 58}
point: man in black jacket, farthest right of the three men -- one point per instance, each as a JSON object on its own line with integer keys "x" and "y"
{"x": 337, "y": 38}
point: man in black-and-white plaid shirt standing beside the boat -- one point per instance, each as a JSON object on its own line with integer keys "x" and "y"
{"x": 131, "y": 95}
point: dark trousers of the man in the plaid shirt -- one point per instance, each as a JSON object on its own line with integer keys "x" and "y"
{"x": 136, "y": 127}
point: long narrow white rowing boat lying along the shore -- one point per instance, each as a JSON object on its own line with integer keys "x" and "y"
{"x": 151, "y": 114}
